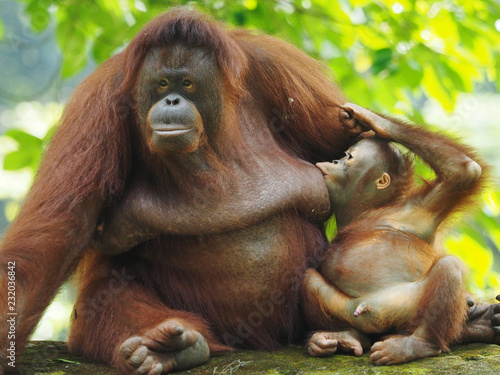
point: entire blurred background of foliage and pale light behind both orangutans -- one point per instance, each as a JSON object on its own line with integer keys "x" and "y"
{"x": 427, "y": 61}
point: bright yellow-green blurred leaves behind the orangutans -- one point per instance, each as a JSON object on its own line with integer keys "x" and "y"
{"x": 386, "y": 55}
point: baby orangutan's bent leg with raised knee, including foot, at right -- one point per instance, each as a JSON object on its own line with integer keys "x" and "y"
{"x": 438, "y": 321}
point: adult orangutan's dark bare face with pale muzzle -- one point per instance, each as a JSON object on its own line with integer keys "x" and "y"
{"x": 179, "y": 92}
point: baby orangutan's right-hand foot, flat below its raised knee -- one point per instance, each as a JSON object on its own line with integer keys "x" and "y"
{"x": 401, "y": 349}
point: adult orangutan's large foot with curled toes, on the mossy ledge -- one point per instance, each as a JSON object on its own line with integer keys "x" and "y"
{"x": 165, "y": 348}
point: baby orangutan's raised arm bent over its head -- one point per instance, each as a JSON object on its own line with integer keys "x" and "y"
{"x": 457, "y": 174}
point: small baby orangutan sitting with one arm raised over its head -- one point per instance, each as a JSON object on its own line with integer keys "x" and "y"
{"x": 383, "y": 273}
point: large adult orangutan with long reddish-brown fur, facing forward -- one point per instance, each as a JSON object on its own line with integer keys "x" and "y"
{"x": 187, "y": 158}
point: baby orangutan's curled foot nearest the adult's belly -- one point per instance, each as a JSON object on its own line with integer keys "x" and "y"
{"x": 323, "y": 344}
